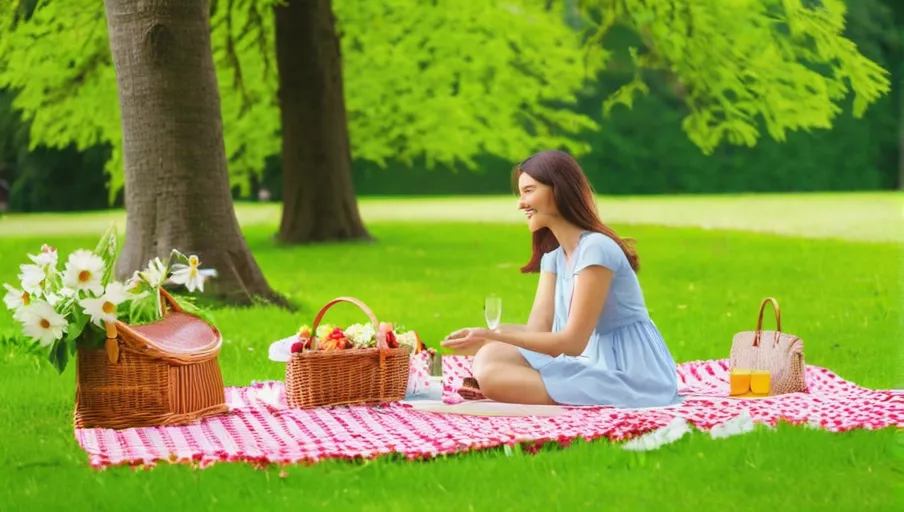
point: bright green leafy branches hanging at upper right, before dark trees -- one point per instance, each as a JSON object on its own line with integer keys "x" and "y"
{"x": 738, "y": 62}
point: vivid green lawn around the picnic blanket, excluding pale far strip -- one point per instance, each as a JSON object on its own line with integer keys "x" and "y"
{"x": 842, "y": 297}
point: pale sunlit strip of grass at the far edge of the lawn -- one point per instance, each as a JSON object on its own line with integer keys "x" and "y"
{"x": 875, "y": 216}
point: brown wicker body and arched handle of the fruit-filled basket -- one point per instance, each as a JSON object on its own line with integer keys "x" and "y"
{"x": 319, "y": 378}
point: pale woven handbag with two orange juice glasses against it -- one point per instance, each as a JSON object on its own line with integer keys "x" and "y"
{"x": 767, "y": 362}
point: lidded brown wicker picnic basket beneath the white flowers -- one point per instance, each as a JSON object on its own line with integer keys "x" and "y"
{"x": 163, "y": 373}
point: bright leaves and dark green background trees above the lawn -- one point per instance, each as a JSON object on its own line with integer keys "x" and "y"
{"x": 476, "y": 84}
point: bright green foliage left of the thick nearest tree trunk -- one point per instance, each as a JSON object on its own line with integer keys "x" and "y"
{"x": 58, "y": 61}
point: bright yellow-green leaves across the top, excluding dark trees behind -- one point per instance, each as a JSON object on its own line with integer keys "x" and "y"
{"x": 450, "y": 80}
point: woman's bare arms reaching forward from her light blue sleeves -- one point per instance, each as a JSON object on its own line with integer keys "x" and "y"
{"x": 591, "y": 287}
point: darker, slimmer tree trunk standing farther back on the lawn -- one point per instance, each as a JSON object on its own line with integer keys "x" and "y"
{"x": 319, "y": 202}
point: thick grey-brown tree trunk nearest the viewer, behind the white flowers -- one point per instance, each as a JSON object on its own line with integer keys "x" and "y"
{"x": 176, "y": 182}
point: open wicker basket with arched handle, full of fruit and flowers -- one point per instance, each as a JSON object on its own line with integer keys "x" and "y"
{"x": 363, "y": 364}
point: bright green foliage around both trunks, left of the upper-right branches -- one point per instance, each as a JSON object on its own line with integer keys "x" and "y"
{"x": 442, "y": 80}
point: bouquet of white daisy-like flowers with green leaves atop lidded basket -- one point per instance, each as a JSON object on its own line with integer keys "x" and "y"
{"x": 61, "y": 310}
